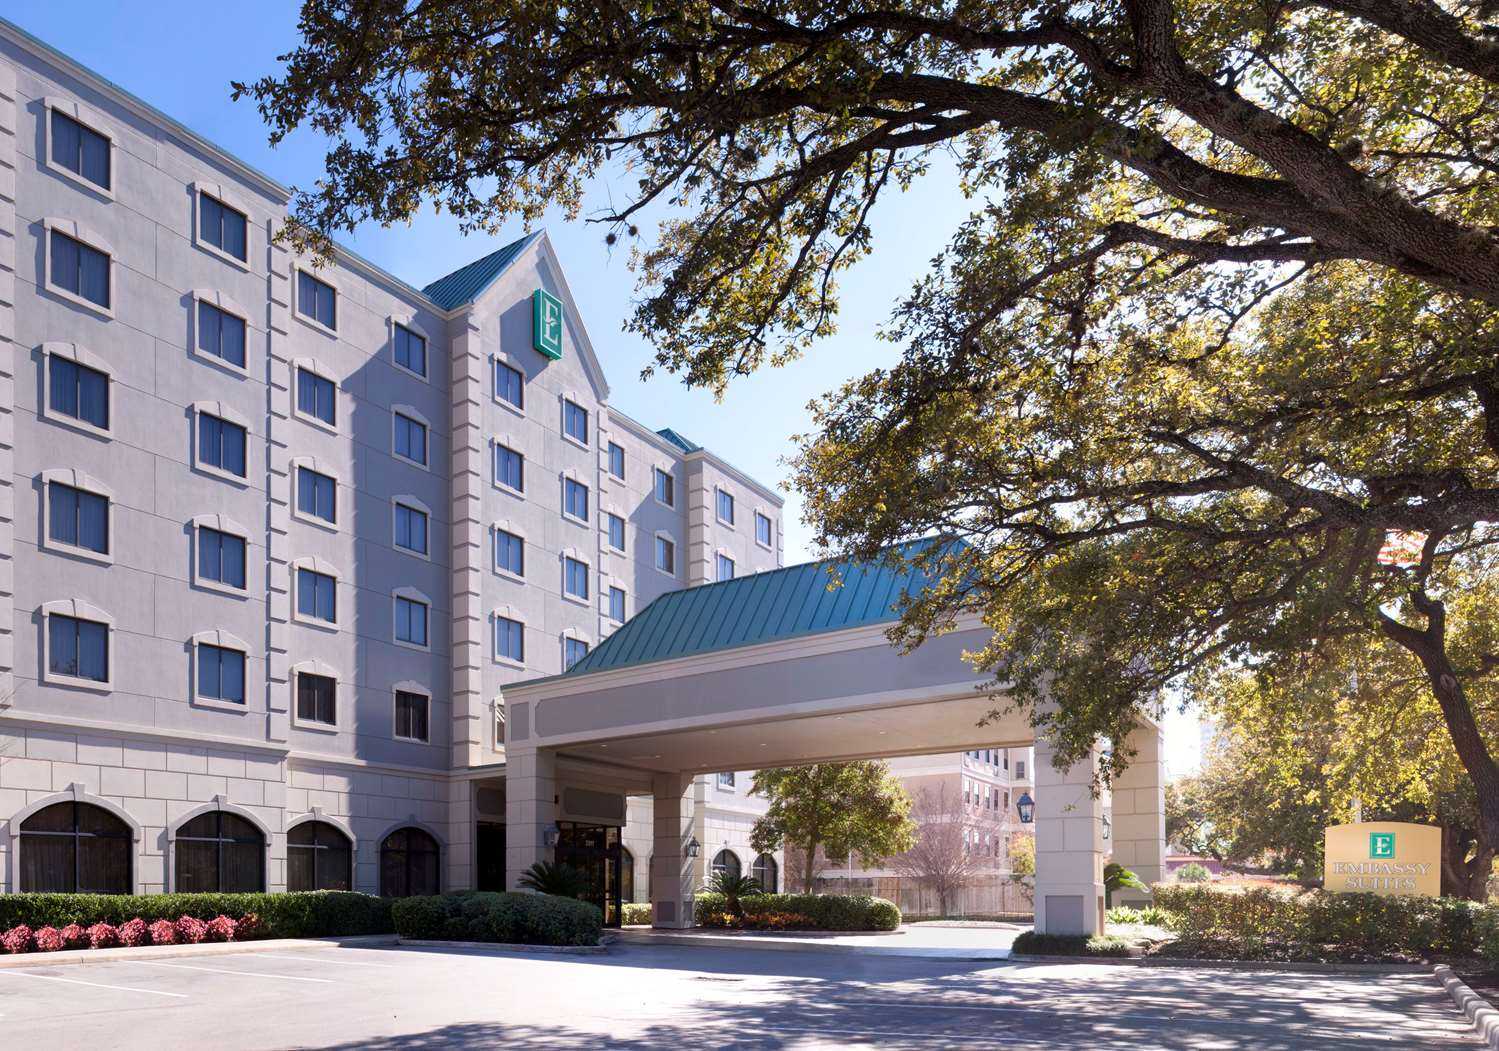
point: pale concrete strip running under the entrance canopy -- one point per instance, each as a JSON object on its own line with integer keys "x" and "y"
{"x": 917, "y": 941}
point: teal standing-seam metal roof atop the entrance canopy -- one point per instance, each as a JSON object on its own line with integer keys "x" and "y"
{"x": 759, "y": 608}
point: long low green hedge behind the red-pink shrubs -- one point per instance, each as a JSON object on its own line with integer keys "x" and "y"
{"x": 299, "y": 915}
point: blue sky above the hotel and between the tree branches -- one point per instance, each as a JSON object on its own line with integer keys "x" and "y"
{"x": 181, "y": 59}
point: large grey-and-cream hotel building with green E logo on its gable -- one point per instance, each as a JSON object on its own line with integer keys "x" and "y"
{"x": 275, "y": 536}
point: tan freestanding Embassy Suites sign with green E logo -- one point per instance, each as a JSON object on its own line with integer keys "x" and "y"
{"x": 1384, "y": 858}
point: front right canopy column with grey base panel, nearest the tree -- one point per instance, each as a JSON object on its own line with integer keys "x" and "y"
{"x": 1070, "y": 846}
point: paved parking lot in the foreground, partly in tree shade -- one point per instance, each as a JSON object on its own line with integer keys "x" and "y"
{"x": 672, "y": 996}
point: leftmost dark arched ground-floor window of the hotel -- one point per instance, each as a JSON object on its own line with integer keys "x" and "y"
{"x": 76, "y": 848}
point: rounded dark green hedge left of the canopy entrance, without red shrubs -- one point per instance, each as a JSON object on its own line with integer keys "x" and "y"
{"x": 488, "y": 917}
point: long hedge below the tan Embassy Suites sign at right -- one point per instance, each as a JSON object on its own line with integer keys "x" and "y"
{"x": 1318, "y": 924}
